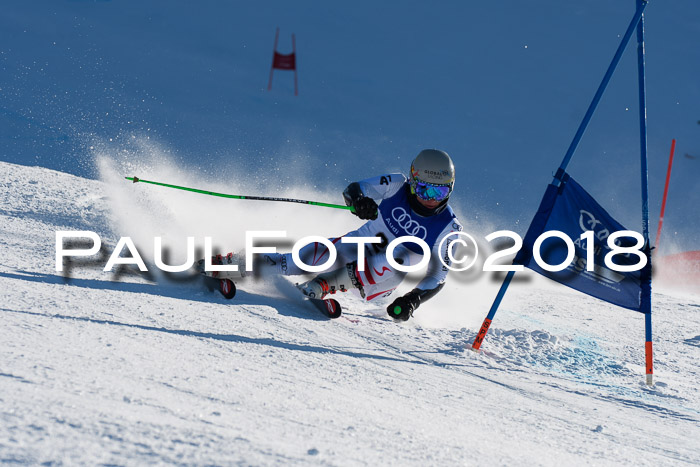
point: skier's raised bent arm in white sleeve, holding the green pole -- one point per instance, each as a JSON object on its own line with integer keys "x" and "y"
{"x": 363, "y": 195}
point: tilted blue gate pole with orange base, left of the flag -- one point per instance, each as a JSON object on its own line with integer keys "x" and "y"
{"x": 569, "y": 154}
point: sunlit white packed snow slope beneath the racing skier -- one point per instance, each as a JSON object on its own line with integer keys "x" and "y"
{"x": 101, "y": 368}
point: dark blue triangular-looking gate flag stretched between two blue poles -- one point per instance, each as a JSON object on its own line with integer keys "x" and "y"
{"x": 569, "y": 209}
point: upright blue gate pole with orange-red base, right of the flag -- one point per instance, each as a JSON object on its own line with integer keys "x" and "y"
{"x": 645, "y": 303}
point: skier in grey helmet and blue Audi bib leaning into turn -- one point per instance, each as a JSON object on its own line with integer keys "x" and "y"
{"x": 394, "y": 206}
